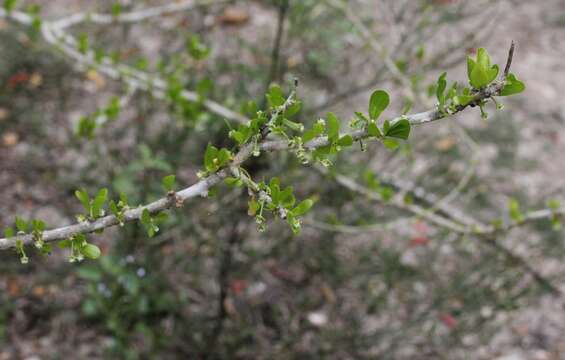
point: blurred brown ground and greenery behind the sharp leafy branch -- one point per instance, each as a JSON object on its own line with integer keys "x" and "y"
{"x": 365, "y": 278}
